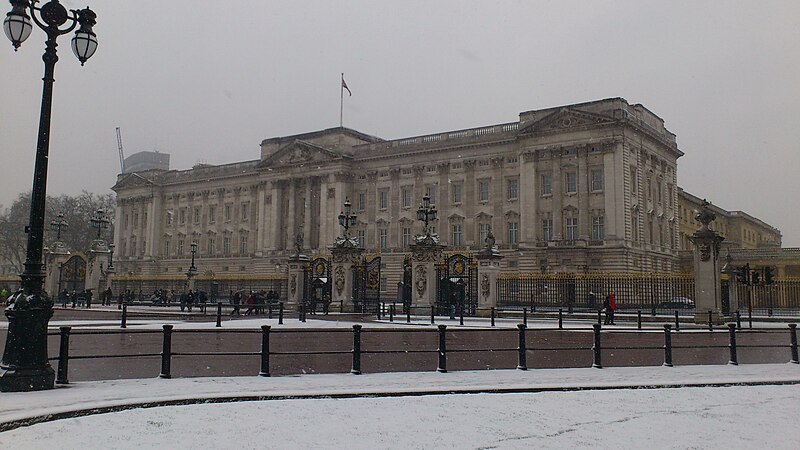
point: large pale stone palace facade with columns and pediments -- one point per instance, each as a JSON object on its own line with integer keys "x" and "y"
{"x": 583, "y": 187}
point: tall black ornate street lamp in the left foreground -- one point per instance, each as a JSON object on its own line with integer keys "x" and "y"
{"x": 25, "y": 366}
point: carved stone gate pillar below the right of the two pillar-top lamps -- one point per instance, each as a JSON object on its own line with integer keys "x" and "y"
{"x": 426, "y": 252}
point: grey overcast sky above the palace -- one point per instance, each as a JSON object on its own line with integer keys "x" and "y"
{"x": 206, "y": 81}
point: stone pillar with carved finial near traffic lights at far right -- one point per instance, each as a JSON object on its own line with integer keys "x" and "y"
{"x": 707, "y": 282}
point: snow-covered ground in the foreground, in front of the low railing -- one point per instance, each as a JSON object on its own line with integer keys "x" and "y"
{"x": 545, "y": 408}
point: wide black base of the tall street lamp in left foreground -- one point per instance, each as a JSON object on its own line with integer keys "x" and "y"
{"x": 25, "y": 366}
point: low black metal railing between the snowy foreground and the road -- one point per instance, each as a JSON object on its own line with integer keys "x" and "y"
{"x": 440, "y": 343}
